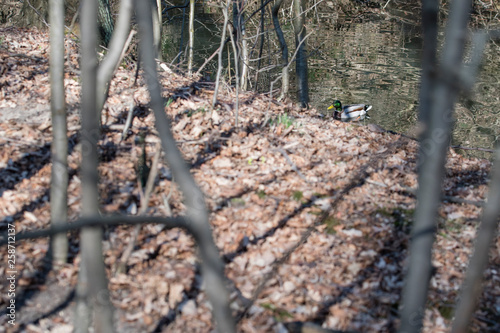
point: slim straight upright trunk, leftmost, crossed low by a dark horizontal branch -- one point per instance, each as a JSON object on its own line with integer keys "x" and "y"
{"x": 59, "y": 148}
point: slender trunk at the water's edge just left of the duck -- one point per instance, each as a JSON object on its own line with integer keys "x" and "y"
{"x": 301, "y": 62}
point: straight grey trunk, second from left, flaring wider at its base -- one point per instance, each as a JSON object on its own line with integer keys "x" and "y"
{"x": 92, "y": 289}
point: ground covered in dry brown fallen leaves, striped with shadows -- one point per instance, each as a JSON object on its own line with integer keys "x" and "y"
{"x": 266, "y": 187}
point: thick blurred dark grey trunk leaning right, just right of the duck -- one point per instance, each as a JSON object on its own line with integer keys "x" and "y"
{"x": 432, "y": 159}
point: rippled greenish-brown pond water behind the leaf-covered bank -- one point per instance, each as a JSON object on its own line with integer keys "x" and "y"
{"x": 374, "y": 61}
